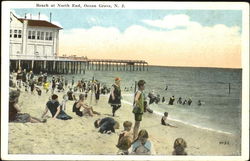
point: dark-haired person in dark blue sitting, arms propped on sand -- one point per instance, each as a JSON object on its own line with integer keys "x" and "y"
{"x": 55, "y": 109}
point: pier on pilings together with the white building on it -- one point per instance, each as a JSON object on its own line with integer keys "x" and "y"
{"x": 34, "y": 49}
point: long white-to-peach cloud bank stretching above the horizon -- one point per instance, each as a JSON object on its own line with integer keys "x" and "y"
{"x": 215, "y": 46}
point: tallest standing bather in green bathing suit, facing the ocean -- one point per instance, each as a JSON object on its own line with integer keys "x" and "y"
{"x": 138, "y": 109}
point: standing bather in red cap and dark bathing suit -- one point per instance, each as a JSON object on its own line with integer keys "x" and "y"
{"x": 115, "y": 96}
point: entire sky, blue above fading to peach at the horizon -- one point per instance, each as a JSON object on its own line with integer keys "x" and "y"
{"x": 196, "y": 38}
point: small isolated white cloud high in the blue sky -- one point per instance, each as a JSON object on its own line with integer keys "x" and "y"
{"x": 172, "y": 21}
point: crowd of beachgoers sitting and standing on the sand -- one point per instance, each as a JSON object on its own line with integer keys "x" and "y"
{"x": 136, "y": 141}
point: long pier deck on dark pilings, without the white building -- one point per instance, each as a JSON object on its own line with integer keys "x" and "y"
{"x": 75, "y": 65}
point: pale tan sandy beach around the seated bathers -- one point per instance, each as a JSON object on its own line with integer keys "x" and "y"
{"x": 79, "y": 136}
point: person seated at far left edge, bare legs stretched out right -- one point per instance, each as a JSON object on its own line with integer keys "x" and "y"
{"x": 15, "y": 114}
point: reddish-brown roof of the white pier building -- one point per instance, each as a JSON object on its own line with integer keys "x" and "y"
{"x": 39, "y": 23}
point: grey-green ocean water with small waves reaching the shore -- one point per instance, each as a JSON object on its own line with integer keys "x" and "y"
{"x": 220, "y": 112}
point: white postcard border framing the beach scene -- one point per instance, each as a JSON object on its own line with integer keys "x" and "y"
{"x": 7, "y": 5}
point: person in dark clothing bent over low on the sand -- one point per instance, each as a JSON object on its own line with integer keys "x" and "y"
{"x": 107, "y": 125}
